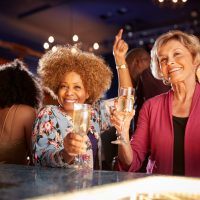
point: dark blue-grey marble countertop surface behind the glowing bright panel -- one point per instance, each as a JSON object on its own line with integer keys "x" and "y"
{"x": 26, "y": 182}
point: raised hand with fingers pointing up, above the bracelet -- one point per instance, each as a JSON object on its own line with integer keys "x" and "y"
{"x": 120, "y": 48}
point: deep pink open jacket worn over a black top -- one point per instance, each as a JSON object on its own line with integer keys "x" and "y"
{"x": 155, "y": 133}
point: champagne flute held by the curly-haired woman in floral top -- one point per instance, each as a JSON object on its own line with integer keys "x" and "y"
{"x": 81, "y": 124}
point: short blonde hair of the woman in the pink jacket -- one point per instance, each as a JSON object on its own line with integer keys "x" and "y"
{"x": 190, "y": 41}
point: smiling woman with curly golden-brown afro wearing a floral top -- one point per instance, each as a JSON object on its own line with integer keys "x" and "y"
{"x": 74, "y": 76}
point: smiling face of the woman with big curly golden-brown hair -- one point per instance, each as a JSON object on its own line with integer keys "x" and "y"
{"x": 71, "y": 90}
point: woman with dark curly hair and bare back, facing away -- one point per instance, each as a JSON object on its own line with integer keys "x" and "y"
{"x": 20, "y": 96}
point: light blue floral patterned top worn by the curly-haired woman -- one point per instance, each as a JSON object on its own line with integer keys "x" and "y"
{"x": 52, "y": 125}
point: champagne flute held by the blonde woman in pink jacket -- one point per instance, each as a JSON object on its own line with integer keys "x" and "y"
{"x": 124, "y": 104}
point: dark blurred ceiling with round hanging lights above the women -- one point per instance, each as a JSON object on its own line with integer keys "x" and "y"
{"x": 30, "y": 27}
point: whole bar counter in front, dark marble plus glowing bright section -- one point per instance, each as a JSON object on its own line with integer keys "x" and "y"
{"x": 40, "y": 183}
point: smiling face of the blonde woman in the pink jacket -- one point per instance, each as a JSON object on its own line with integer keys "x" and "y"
{"x": 176, "y": 62}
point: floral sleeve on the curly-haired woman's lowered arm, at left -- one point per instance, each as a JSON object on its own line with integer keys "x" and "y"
{"x": 47, "y": 139}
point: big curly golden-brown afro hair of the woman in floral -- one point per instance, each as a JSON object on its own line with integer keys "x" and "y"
{"x": 94, "y": 72}
